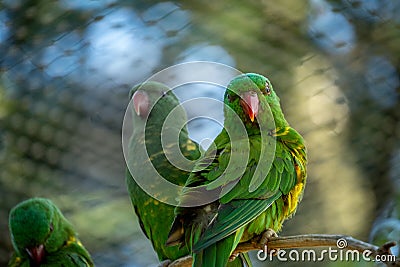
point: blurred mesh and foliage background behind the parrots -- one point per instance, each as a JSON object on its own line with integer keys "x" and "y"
{"x": 67, "y": 67}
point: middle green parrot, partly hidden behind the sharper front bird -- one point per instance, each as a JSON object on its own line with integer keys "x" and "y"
{"x": 152, "y": 103}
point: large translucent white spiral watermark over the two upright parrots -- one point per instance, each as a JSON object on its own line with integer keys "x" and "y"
{"x": 139, "y": 159}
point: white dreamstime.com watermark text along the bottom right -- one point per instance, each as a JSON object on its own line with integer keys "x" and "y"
{"x": 331, "y": 254}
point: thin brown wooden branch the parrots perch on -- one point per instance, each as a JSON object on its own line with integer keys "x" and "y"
{"x": 307, "y": 241}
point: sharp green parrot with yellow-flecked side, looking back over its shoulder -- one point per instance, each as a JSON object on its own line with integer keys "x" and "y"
{"x": 248, "y": 200}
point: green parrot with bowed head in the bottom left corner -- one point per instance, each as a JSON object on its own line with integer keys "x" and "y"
{"x": 42, "y": 236}
